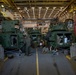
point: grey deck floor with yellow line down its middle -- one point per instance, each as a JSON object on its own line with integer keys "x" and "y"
{"x": 47, "y": 65}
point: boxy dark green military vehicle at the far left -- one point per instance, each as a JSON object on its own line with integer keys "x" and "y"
{"x": 11, "y": 37}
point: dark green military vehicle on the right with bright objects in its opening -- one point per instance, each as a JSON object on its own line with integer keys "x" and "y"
{"x": 59, "y": 36}
